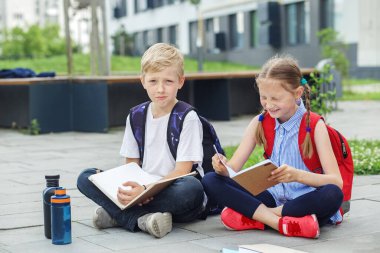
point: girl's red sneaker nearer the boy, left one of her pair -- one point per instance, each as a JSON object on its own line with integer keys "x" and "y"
{"x": 236, "y": 221}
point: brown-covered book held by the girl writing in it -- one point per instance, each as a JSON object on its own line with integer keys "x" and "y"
{"x": 255, "y": 178}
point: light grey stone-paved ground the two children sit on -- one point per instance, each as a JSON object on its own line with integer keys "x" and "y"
{"x": 24, "y": 160}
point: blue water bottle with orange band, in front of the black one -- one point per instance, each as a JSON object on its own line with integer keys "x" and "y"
{"x": 60, "y": 217}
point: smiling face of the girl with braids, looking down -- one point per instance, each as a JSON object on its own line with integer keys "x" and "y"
{"x": 279, "y": 102}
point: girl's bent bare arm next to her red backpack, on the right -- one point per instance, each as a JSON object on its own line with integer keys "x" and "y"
{"x": 328, "y": 161}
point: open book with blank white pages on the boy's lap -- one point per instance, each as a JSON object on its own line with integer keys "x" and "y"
{"x": 110, "y": 180}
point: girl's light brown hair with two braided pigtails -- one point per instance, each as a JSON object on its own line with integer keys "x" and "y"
{"x": 285, "y": 69}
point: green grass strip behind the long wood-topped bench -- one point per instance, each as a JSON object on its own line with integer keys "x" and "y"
{"x": 119, "y": 65}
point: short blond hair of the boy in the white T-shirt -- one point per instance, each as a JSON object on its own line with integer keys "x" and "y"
{"x": 160, "y": 56}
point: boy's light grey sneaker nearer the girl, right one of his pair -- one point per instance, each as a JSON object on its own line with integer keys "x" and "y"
{"x": 156, "y": 224}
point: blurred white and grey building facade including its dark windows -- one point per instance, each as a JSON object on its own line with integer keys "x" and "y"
{"x": 251, "y": 31}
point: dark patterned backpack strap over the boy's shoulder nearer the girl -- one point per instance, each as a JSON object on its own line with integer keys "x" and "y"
{"x": 175, "y": 124}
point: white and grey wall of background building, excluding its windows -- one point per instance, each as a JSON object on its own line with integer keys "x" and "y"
{"x": 356, "y": 21}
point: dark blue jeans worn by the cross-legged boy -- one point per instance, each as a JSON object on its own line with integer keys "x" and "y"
{"x": 183, "y": 199}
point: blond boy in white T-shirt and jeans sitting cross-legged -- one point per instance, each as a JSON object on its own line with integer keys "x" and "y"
{"x": 162, "y": 75}
